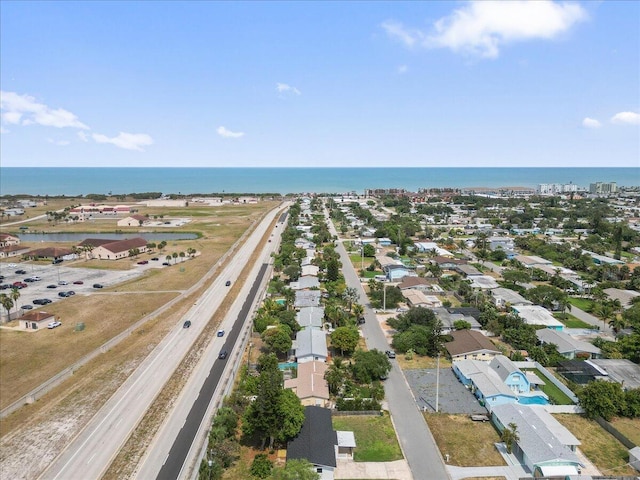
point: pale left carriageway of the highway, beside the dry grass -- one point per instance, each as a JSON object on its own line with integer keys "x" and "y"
{"x": 91, "y": 452}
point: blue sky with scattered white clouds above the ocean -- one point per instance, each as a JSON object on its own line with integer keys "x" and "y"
{"x": 320, "y": 84}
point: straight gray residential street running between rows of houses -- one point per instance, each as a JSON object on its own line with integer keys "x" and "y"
{"x": 418, "y": 445}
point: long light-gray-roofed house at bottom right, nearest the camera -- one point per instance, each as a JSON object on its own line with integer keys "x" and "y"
{"x": 544, "y": 446}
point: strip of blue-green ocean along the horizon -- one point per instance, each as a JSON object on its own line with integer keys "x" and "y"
{"x": 83, "y": 181}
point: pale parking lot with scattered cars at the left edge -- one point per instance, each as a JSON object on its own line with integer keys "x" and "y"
{"x": 54, "y": 279}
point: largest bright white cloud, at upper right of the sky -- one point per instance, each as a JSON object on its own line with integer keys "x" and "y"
{"x": 481, "y": 28}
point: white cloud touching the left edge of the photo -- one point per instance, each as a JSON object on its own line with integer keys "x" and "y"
{"x": 25, "y": 110}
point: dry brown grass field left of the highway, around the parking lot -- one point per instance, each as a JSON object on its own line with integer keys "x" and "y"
{"x": 47, "y": 425}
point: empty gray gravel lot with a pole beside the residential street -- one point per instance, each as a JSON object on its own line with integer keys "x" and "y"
{"x": 453, "y": 396}
